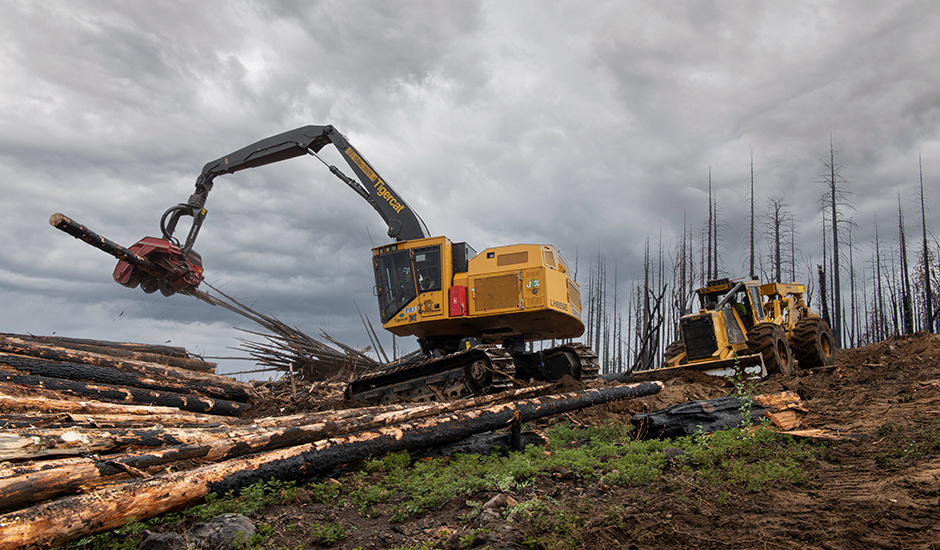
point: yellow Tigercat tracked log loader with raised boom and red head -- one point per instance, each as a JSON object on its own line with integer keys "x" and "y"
{"x": 473, "y": 314}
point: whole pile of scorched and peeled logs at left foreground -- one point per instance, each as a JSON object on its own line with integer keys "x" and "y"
{"x": 92, "y": 437}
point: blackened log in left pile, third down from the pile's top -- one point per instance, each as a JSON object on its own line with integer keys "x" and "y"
{"x": 106, "y": 375}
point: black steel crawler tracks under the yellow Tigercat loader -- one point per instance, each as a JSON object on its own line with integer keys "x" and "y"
{"x": 479, "y": 370}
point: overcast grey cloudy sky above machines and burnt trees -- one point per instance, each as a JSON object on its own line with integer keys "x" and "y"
{"x": 588, "y": 125}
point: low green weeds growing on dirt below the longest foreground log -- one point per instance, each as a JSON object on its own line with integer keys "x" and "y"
{"x": 392, "y": 486}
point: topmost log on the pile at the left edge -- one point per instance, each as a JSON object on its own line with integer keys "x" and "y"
{"x": 148, "y": 353}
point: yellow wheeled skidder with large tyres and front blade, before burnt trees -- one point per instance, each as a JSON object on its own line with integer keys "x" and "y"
{"x": 746, "y": 326}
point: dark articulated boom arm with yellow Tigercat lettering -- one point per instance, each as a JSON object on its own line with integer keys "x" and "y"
{"x": 403, "y": 223}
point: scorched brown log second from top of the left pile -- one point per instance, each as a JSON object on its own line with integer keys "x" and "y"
{"x": 19, "y": 347}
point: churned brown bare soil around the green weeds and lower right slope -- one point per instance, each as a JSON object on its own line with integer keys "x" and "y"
{"x": 869, "y": 490}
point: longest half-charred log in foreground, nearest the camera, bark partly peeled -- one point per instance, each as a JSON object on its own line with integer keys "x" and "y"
{"x": 55, "y": 523}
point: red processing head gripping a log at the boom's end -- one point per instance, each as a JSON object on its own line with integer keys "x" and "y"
{"x": 175, "y": 271}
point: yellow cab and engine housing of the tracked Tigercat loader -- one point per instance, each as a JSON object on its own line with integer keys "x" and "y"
{"x": 440, "y": 291}
